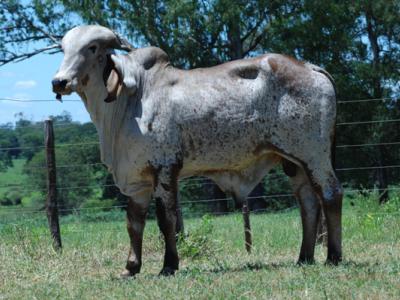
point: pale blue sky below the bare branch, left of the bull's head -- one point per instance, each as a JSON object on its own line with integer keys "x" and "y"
{"x": 31, "y": 80}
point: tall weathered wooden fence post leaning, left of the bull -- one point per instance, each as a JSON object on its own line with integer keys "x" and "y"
{"x": 51, "y": 202}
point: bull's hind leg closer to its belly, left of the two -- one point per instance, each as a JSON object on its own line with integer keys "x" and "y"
{"x": 309, "y": 209}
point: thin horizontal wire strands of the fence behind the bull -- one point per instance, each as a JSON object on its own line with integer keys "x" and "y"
{"x": 79, "y": 183}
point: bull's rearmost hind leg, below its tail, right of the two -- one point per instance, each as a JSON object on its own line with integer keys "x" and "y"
{"x": 328, "y": 188}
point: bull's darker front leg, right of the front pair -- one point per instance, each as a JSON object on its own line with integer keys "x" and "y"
{"x": 165, "y": 194}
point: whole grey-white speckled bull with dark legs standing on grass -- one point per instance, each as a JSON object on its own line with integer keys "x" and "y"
{"x": 232, "y": 123}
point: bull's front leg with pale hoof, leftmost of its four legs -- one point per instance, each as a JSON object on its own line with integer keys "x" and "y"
{"x": 136, "y": 212}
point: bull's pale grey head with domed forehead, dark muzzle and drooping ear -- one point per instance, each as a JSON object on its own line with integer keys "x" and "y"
{"x": 88, "y": 57}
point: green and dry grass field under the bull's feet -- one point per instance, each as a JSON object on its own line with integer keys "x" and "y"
{"x": 214, "y": 263}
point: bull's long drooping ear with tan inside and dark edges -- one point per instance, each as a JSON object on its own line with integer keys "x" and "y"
{"x": 112, "y": 80}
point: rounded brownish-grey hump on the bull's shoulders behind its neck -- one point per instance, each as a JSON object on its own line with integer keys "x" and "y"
{"x": 150, "y": 56}
